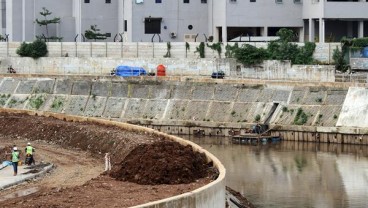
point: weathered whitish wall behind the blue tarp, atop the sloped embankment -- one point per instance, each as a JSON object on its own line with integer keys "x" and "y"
{"x": 269, "y": 70}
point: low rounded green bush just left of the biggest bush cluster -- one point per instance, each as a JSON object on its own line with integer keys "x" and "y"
{"x": 250, "y": 55}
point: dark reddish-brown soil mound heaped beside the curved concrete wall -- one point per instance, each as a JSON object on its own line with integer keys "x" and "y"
{"x": 164, "y": 162}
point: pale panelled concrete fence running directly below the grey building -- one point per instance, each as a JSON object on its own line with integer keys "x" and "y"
{"x": 323, "y": 52}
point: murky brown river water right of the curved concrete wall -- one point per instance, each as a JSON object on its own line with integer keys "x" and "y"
{"x": 290, "y": 174}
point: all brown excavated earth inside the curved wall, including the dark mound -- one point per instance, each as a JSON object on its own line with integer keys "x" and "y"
{"x": 146, "y": 167}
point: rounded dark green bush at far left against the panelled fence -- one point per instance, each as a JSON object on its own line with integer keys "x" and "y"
{"x": 36, "y": 49}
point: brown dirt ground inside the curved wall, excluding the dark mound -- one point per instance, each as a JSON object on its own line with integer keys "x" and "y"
{"x": 77, "y": 181}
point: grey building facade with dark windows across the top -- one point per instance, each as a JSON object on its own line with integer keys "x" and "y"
{"x": 185, "y": 20}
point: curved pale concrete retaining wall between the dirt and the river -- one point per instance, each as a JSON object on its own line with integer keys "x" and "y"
{"x": 211, "y": 195}
